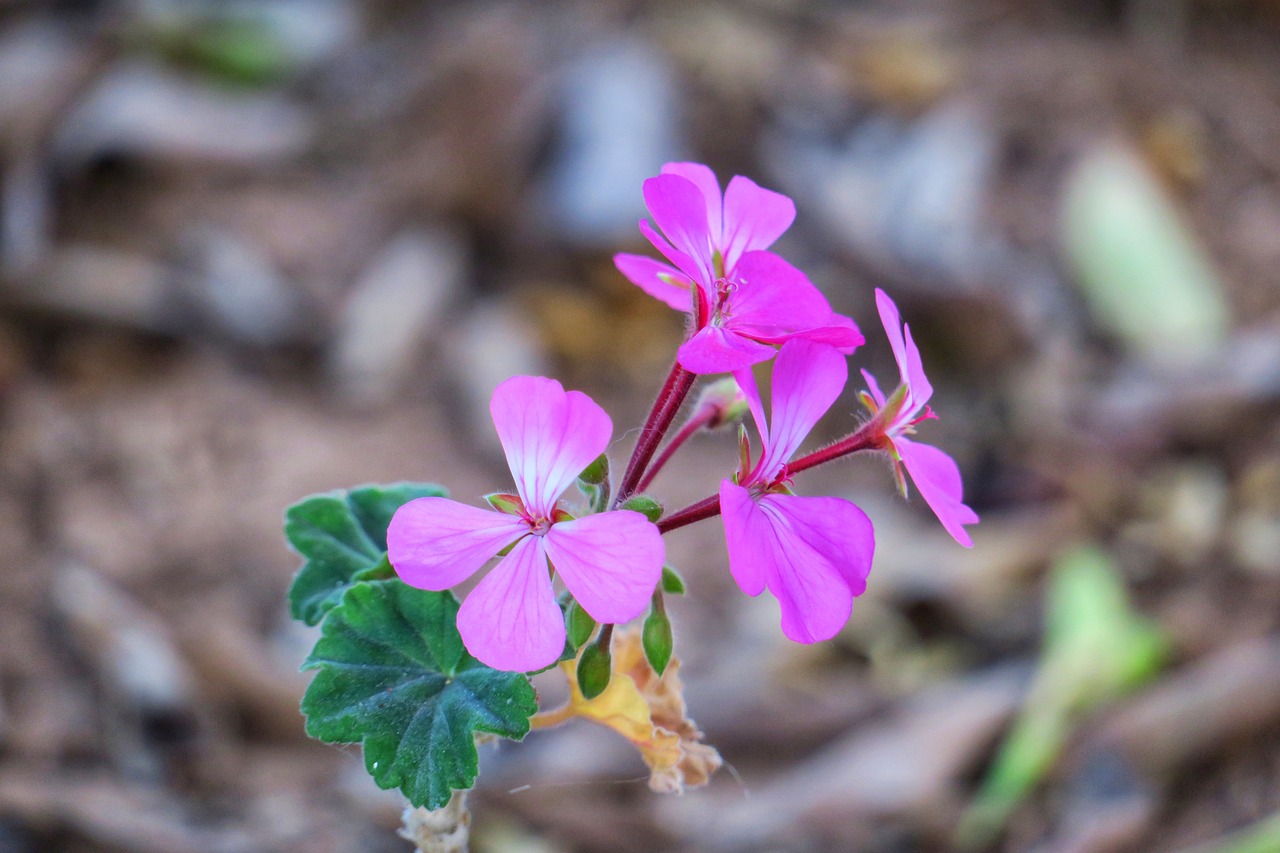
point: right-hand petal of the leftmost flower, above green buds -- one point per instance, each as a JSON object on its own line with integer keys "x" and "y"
{"x": 610, "y": 562}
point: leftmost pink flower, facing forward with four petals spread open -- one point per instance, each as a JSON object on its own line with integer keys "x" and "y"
{"x": 610, "y": 562}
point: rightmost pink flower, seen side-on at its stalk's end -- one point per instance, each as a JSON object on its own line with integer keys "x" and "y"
{"x": 936, "y": 475}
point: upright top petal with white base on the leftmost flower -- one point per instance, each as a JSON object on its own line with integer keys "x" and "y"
{"x": 550, "y": 436}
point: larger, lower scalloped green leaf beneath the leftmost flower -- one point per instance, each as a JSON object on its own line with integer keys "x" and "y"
{"x": 394, "y": 676}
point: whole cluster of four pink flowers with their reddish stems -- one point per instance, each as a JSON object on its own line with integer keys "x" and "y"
{"x": 746, "y": 305}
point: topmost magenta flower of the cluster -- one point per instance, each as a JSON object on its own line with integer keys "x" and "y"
{"x": 744, "y": 300}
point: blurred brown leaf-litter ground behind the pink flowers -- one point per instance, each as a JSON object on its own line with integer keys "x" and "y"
{"x": 250, "y": 252}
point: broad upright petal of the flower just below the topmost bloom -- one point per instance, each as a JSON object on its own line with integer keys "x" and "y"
{"x": 807, "y": 381}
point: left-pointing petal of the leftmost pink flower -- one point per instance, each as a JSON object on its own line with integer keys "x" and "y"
{"x": 436, "y": 544}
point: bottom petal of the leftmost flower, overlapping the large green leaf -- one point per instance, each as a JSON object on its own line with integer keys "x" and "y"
{"x": 511, "y": 621}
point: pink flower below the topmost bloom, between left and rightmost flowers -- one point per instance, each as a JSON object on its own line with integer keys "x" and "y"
{"x": 813, "y": 554}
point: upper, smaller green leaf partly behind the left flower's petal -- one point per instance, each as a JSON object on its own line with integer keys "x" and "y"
{"x": 342, "y": 536}
